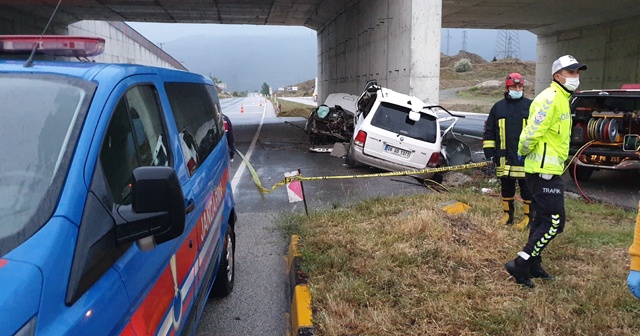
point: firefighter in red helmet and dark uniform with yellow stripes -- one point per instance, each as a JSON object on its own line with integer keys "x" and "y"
{"x": 500, "y": 144}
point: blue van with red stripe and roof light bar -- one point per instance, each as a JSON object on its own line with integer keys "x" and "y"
{"x": 116, "y": 209}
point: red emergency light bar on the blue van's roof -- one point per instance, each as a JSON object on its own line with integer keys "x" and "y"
{"x": 55, "y": 45}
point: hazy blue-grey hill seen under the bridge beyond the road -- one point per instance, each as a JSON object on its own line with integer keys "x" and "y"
{"x": 245, "y": 62}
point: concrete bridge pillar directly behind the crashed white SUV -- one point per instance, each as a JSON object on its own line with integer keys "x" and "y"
{"x": 396, "y": 43}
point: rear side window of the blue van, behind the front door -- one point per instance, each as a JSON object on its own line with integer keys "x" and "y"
{"x": 195, "y": 115}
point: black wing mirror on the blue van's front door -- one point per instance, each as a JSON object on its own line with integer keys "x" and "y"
{"x": 157, "y": 210}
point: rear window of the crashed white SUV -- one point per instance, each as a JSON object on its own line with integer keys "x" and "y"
{"x": 394, "y": 118}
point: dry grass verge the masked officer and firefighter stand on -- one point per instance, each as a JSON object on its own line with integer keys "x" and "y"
{"x": 401, "y": 266}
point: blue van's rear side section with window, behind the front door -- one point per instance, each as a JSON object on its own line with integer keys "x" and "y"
{"x": 198, "y": 119}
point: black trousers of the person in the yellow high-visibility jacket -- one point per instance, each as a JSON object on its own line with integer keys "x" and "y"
{"x": 548, "y": 205}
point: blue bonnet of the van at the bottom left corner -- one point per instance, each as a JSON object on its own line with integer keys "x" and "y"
{"x": 20, "y": 291}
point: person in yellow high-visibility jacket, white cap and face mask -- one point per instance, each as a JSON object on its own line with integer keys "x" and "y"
{"x": 544, "y": 143}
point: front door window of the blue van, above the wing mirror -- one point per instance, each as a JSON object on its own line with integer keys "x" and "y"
{"x": 135, "y": 138}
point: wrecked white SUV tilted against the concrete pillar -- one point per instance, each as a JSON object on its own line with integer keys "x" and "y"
{"x": 397, "y": 132}
